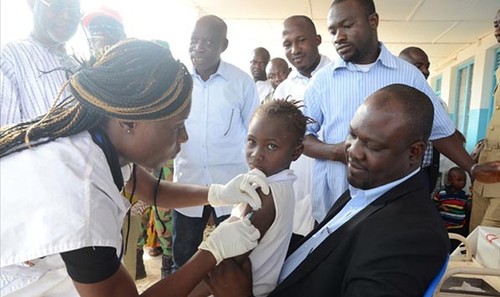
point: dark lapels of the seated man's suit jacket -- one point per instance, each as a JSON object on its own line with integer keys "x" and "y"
{"x": 331, "y": 242}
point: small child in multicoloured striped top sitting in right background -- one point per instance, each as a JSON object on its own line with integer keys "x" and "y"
{"x": 454, "y": 204}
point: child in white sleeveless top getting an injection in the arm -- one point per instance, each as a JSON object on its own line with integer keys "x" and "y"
{"x": 274, "y": 140}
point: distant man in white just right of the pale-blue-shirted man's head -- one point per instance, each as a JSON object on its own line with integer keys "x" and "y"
{"x": 258, "y": 64}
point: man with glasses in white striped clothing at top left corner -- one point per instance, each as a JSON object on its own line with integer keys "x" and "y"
{"x": 34, "y": 69}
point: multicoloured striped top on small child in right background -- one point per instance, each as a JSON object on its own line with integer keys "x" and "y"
{"x": 454, "y": 207}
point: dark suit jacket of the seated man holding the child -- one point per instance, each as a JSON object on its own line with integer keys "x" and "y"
{"x": 394, "y": 247}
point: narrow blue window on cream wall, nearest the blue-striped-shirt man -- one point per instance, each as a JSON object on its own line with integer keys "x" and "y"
{"x": 462, "y": 97}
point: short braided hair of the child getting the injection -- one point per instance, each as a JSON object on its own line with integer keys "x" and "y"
{"x": 289, "y": 111}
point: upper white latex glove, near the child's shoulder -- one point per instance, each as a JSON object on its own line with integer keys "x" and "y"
{"x": 240, "y": 189}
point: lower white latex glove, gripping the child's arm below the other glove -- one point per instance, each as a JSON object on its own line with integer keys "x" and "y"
{"x": 231, "y": 239}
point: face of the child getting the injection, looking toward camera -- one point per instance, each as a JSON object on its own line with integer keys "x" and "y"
{"x": 270, "y": 146}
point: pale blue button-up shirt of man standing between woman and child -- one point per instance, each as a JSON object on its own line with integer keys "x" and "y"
{"x": 221, "y": 109}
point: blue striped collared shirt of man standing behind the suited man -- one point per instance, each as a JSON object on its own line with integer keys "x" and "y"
{"x": 331, "y": 99}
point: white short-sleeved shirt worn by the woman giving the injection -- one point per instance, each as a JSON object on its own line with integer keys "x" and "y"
{"x": 57, "y": 197}
